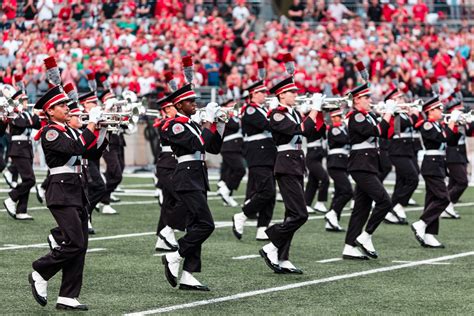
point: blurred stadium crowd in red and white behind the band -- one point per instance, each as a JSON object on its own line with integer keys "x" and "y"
{"x": 135, "y": 42}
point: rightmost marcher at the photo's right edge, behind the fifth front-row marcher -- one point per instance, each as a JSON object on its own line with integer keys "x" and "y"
{"x": 456, "y": 162}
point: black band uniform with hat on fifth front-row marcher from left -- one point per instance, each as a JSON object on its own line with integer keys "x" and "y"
{"x": 433, "y": 168}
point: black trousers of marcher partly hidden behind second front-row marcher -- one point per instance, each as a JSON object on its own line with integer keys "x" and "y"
{"x": 172, "y": 213}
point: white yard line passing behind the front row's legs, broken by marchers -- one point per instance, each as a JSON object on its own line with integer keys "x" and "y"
{"x": 219, "y": 224}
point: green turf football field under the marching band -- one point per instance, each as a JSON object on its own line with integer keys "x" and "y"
{"x": 122, "y": 275}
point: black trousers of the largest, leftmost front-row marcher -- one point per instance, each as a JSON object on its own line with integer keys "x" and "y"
{"x": 70, "y": 257}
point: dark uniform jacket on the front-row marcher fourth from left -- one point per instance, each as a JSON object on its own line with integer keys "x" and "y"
{"x": 364, "y": 127}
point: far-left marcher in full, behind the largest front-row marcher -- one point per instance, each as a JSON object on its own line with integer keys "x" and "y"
{"x": 21, "y": 155}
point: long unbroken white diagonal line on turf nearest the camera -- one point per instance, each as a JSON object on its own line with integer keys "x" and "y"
{"x": 242, "y": 295}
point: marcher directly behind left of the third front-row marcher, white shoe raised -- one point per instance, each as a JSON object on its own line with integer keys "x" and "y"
{"x": 260, "y": 154}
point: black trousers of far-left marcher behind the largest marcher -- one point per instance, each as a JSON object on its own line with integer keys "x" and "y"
{"x": 21, "y": 193}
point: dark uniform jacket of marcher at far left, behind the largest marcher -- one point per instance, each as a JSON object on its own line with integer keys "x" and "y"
{"x": 21, "y": 126}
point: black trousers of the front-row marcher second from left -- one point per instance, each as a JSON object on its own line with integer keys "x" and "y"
{"x": 199, "y": 226}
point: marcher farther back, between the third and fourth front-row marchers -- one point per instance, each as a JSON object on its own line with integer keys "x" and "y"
{"x": 338, "y": 154}
